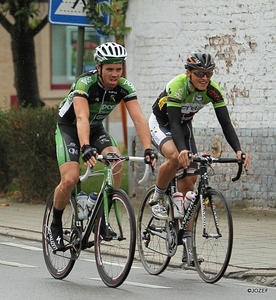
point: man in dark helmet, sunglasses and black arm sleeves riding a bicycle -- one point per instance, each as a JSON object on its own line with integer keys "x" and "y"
{"x": 171, "y": 123}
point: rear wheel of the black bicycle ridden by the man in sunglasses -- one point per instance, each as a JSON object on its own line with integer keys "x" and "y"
{"x": 151, "y": 239}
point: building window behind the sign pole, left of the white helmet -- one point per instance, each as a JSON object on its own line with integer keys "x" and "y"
{"x": 64, "y": 53}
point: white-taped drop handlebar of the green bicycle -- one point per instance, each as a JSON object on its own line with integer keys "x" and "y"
{"x": 114, "y": 157}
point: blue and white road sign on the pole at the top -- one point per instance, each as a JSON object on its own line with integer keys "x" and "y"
{"x": 71, "y": 12}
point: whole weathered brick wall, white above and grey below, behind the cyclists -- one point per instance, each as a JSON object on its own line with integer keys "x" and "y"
{"x": 242, "y": 38}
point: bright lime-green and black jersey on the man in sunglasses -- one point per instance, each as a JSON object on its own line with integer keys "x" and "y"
{"x": 179, "y": 92}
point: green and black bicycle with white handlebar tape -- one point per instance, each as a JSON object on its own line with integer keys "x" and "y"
{"x": 113, "y": 210}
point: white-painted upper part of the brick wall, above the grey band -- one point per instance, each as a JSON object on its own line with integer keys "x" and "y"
{"x": 240, "y": 34}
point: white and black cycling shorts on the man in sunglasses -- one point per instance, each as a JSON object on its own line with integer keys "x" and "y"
{"x": 161, "y": 133}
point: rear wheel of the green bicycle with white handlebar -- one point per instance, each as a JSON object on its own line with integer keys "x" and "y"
{"x": 58, "y": 263}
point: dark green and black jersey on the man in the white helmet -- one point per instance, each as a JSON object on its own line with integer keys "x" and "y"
{"x": 101, "y": 102}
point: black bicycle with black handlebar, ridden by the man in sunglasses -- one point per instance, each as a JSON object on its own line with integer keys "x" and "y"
{"x": 212, "y": 232}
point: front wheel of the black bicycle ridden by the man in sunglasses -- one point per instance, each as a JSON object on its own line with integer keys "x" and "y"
{"x": 212, "y": 250}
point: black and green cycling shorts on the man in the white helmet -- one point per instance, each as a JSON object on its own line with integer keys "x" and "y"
{"x": 68, "y": 146}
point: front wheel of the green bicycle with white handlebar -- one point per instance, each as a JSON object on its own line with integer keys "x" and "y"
{"x": 114, "y": 254}
